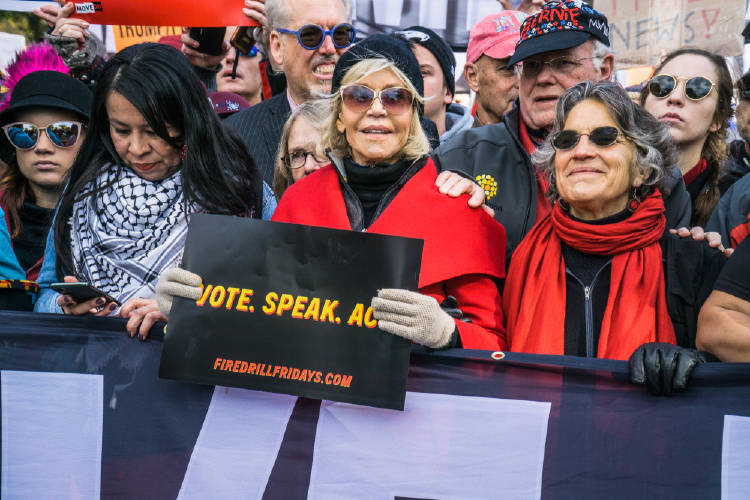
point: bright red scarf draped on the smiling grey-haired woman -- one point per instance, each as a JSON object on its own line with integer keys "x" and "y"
{"x": 636, "y": 312}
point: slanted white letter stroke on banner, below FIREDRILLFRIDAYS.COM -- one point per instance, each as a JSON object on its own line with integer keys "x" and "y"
{"x": 237, "y": 446}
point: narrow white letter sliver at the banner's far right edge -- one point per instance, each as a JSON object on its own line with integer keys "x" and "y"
{"x": 735, "y": 460}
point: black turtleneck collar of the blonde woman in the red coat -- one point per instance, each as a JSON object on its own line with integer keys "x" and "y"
{"x": 370, "y": 183}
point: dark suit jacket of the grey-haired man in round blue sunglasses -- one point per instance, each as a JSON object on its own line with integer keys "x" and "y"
{"x": 260, "y": 127}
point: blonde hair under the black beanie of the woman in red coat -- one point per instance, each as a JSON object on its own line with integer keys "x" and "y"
{"x": 416, "y": 145}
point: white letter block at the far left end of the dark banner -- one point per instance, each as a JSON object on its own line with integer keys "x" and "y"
{"x": 51, "y": 435}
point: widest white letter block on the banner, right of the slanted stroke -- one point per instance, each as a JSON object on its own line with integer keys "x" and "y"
{"x": 436, "y": 448}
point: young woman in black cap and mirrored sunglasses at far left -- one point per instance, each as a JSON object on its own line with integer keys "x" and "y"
{"x": 43, "y": 128}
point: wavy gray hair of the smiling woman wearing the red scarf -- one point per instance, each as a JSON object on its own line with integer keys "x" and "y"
{"x": 654, "y": 149}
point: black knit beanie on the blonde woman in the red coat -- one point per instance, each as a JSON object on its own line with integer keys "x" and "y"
{"x": 380, "y": 46}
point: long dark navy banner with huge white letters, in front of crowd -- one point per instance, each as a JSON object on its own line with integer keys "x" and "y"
{"x": 605, "y": 438}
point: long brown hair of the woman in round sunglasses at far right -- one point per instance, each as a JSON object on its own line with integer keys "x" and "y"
{"x": 715, "y": 149}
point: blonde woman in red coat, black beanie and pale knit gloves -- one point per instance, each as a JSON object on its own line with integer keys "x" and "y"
{"x": 382, "y": 180}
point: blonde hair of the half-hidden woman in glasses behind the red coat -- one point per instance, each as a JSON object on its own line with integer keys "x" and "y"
{"x": 315, "y": 111}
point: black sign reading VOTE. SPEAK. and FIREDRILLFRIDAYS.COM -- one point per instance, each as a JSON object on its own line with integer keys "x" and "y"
{"x": 286, "y": 308}
